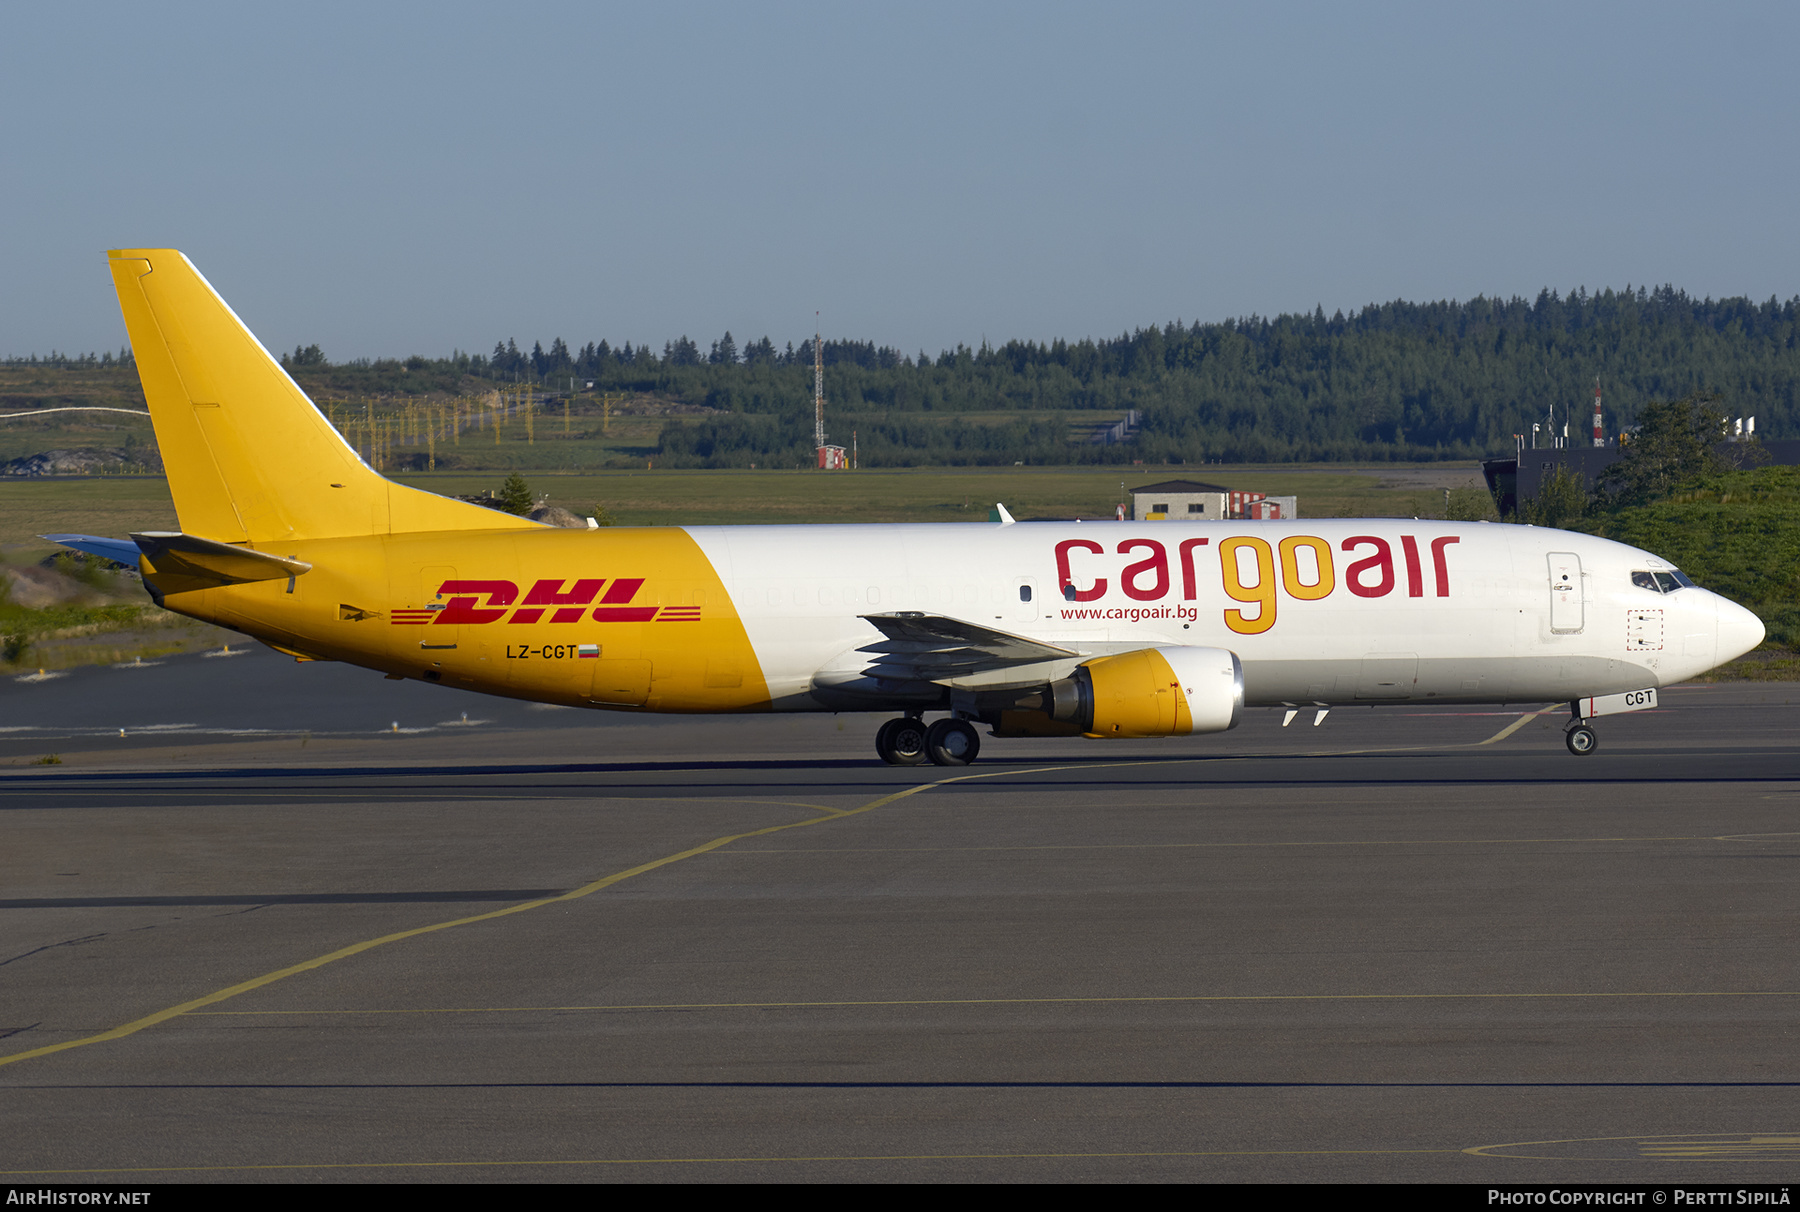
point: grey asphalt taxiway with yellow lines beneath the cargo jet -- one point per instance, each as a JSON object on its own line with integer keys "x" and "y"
{"x": 296, "y": 923}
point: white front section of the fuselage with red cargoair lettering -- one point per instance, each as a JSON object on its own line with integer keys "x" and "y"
{"x": 1318, "y": 611}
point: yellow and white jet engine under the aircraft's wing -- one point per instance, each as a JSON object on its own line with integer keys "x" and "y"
{"x": 1153, "y": 692}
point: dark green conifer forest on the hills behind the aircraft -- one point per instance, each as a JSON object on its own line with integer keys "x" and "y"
{"x": 1398, "y": 381}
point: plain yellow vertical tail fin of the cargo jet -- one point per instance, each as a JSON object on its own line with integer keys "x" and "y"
{"x": 247, "y": 455}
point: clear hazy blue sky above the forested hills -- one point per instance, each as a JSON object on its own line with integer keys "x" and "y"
{"x": 413, "y": 179}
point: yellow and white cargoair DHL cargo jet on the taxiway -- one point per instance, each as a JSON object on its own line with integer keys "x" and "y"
{"x": 1099, "y": 629}
